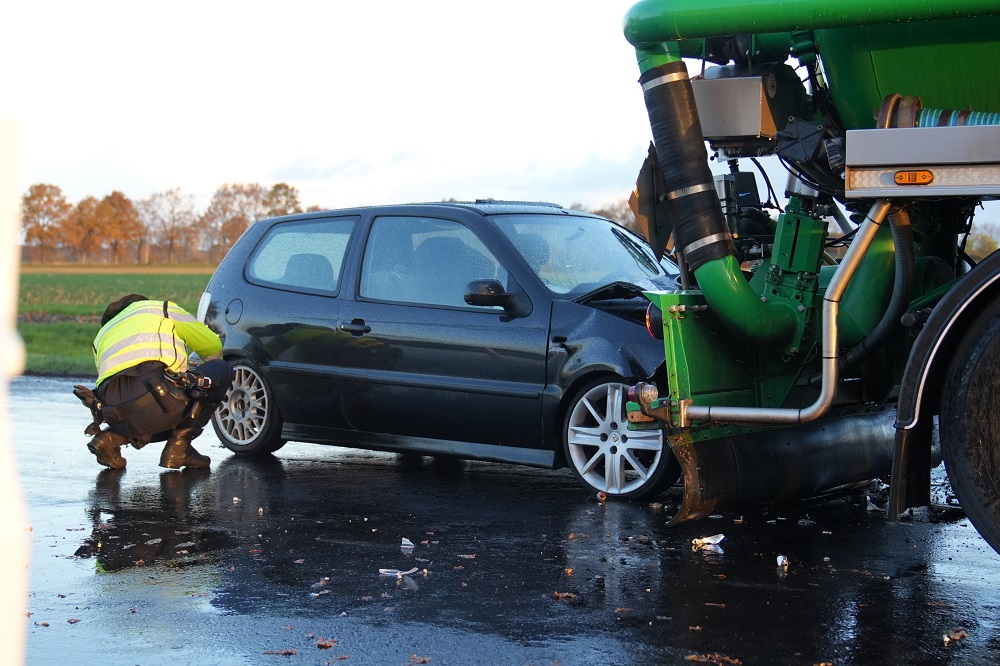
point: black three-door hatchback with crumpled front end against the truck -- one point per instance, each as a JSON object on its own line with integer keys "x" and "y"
{"x": 500, "y": 331}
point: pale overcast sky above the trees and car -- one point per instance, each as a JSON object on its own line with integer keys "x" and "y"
{"x": 351, "y": 102}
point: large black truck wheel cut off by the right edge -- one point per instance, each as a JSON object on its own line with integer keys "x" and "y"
{"x": 970, "y": 424}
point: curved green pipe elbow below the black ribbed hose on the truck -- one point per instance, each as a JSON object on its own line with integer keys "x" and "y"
{"x": 740, "y": 309}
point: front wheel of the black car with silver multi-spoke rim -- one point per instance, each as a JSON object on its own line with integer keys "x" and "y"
{"x": 604, "y": 455}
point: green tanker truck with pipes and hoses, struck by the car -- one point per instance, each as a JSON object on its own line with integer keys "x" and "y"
{"x": 847, "y": 335}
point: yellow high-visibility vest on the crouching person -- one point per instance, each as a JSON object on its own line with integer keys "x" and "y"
{"x": 151, "y": 331}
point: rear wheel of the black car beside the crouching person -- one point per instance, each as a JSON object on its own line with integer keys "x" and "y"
{"x": 248, "y": 422}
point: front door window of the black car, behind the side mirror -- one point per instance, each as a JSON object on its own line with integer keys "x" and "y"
{"x": 425, "y": 260}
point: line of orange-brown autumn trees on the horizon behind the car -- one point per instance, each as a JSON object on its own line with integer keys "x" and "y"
{"x": 164, "y": 228}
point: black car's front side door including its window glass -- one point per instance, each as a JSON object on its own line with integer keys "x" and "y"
{"x": 423, "y": 363}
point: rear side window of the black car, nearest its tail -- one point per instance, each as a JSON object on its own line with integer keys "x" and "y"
{"x": 305, "y": 255}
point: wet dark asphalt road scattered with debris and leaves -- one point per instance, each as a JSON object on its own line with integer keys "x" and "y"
{"x": 278, "y": 562}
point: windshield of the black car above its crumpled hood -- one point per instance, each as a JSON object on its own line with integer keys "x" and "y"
{"x": 576, "y": 254}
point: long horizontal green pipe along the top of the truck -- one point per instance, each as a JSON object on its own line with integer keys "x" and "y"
{"x": 652, "y": 21}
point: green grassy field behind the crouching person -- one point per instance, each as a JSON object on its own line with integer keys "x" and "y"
{"x": 59, "y": 307}
